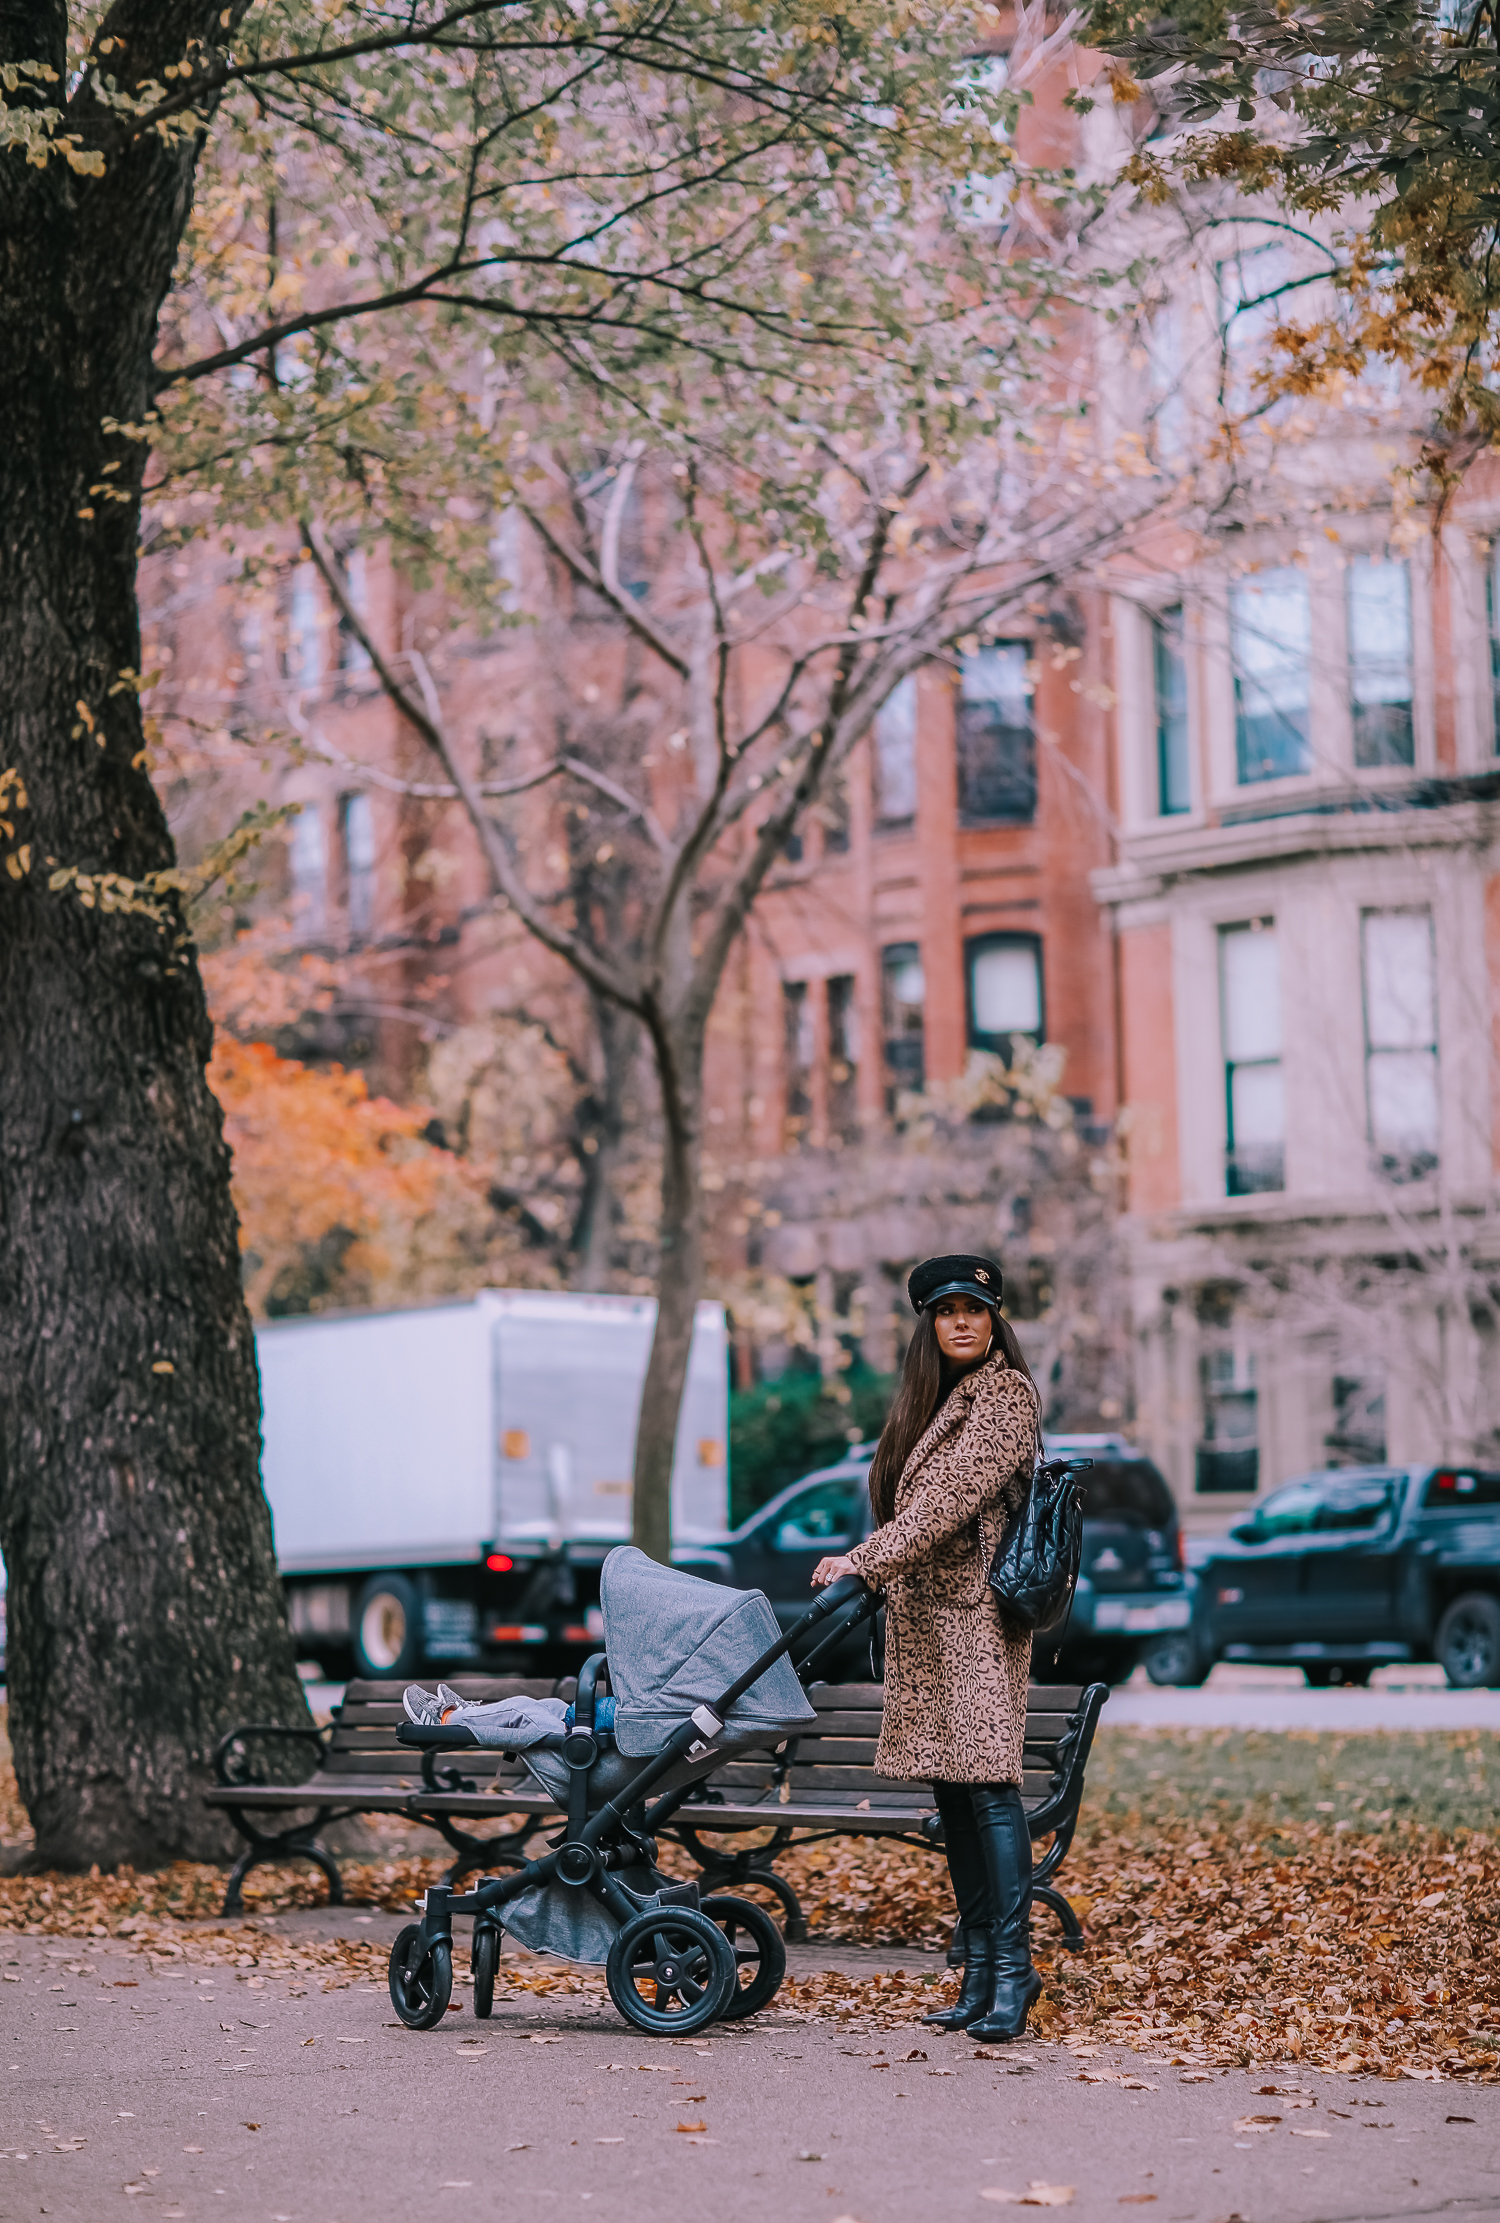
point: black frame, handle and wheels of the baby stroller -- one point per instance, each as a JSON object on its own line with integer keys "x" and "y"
{"x": 690, "y": 1957}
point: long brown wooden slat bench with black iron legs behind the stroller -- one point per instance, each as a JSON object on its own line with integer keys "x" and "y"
{"x": 814, "y": 1786}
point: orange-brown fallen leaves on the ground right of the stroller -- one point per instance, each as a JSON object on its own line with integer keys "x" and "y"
{"x": 1368, "y": 1955}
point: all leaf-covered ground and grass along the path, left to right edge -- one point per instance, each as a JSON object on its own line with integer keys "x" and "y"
{"x": 1248, "y": 1900}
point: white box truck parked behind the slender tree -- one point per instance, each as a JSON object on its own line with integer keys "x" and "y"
{"x": 448, "y": 1482}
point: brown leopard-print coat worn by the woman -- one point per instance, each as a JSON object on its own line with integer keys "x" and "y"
{"x": 954, "y": 1671}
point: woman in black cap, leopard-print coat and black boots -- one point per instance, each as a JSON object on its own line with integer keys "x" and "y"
{"x": 952, "y": 1464}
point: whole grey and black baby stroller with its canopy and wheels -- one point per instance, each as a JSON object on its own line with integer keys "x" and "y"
{"x": 697, "y": 1675}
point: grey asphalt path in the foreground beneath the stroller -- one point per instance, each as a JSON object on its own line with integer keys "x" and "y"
{"x": 186, "y": 2095}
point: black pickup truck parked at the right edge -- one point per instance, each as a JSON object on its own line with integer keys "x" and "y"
{"x": 1359, "y": 1568}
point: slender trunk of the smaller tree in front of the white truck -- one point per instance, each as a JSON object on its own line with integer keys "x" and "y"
{"x": 679, "y": 1288}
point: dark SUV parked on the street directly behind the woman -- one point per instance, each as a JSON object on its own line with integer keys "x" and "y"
{"x": 1132, "y": 1595}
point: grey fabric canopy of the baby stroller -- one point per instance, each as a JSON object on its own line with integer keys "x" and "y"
{"x": 677, "y": 1642}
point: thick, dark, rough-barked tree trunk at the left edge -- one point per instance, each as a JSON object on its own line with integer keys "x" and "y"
{"x": 146, "y": 1611}
